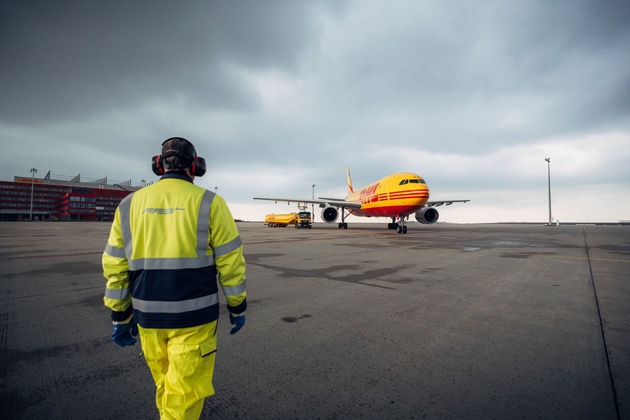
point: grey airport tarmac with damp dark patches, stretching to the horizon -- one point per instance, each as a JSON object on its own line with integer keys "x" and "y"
{"x": 447, "y": 321}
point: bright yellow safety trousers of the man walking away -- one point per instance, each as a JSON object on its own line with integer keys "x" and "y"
{"x": 182, "y": 364}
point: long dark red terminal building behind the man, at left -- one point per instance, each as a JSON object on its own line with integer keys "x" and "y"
{"x": 48, "y": 199}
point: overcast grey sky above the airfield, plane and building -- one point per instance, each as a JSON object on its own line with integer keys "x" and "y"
{"x": 280, "y": 95}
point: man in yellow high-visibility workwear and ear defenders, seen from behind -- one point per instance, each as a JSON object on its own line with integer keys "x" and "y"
{"x": 168, "y": 244}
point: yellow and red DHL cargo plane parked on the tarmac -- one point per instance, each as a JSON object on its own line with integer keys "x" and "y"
{"x": 395, "y": 196}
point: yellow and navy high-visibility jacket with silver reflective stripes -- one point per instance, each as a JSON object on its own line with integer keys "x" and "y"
{"x": 167, "y": 244}
